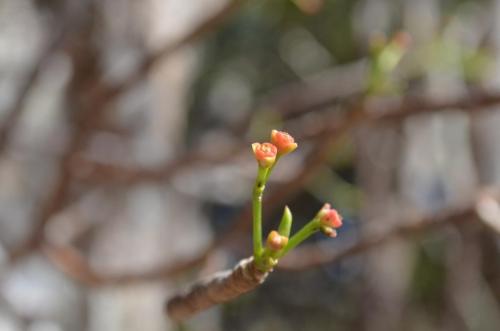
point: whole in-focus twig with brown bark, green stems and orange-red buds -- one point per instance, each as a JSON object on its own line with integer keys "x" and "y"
{"x": 251, "y": 272}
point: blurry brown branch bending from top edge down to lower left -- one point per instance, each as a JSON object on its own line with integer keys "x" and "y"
{"x": 94, "y": 107}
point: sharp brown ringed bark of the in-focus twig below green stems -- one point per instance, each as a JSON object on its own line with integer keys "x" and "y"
{"x": 221, "y": 287}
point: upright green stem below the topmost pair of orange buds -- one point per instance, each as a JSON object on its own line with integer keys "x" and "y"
{"x": 258, "y": 190}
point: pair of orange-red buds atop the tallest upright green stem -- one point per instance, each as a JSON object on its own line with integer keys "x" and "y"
{"x": 266, "y": 153}
